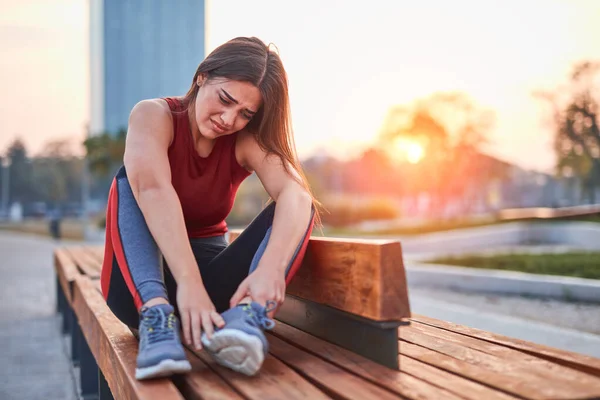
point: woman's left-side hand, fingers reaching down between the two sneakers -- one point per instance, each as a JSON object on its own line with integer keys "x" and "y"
{"x": 197, "y": 312}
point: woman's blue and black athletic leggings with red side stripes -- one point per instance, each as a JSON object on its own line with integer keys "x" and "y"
{"x": 134, "y": 270}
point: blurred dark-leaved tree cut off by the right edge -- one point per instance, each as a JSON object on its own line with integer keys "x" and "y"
{"x": 575, "y": 116}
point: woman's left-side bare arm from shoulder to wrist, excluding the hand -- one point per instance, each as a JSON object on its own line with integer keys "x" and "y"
{"x": 148, "y": 137}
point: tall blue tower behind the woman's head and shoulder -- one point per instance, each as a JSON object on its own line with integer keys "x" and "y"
{"x": 141, "y": 49}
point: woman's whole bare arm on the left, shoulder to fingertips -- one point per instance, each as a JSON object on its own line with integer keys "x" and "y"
{"x": 149, "y": 174}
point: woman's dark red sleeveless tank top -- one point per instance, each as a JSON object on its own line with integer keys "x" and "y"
{"x": 206, "y": 186}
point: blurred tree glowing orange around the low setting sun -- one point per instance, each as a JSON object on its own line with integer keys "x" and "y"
{"x": 451, "y": 131}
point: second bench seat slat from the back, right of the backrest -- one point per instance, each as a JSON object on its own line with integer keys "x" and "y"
{"x": 544, "y": 369}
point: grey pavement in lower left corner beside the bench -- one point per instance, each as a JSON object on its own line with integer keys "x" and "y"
{"x": 33, "y": 353}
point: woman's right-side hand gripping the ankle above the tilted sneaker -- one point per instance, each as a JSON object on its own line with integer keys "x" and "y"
{"x": 261, "y": 285}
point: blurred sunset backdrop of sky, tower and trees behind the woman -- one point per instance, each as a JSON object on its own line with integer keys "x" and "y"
{"x": 408, "y": 116}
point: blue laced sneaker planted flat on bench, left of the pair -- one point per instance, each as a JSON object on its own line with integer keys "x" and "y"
{"x": 161, "y": 352}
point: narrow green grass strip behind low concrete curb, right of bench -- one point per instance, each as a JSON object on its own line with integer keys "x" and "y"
{"x": 577, "y": 264}
